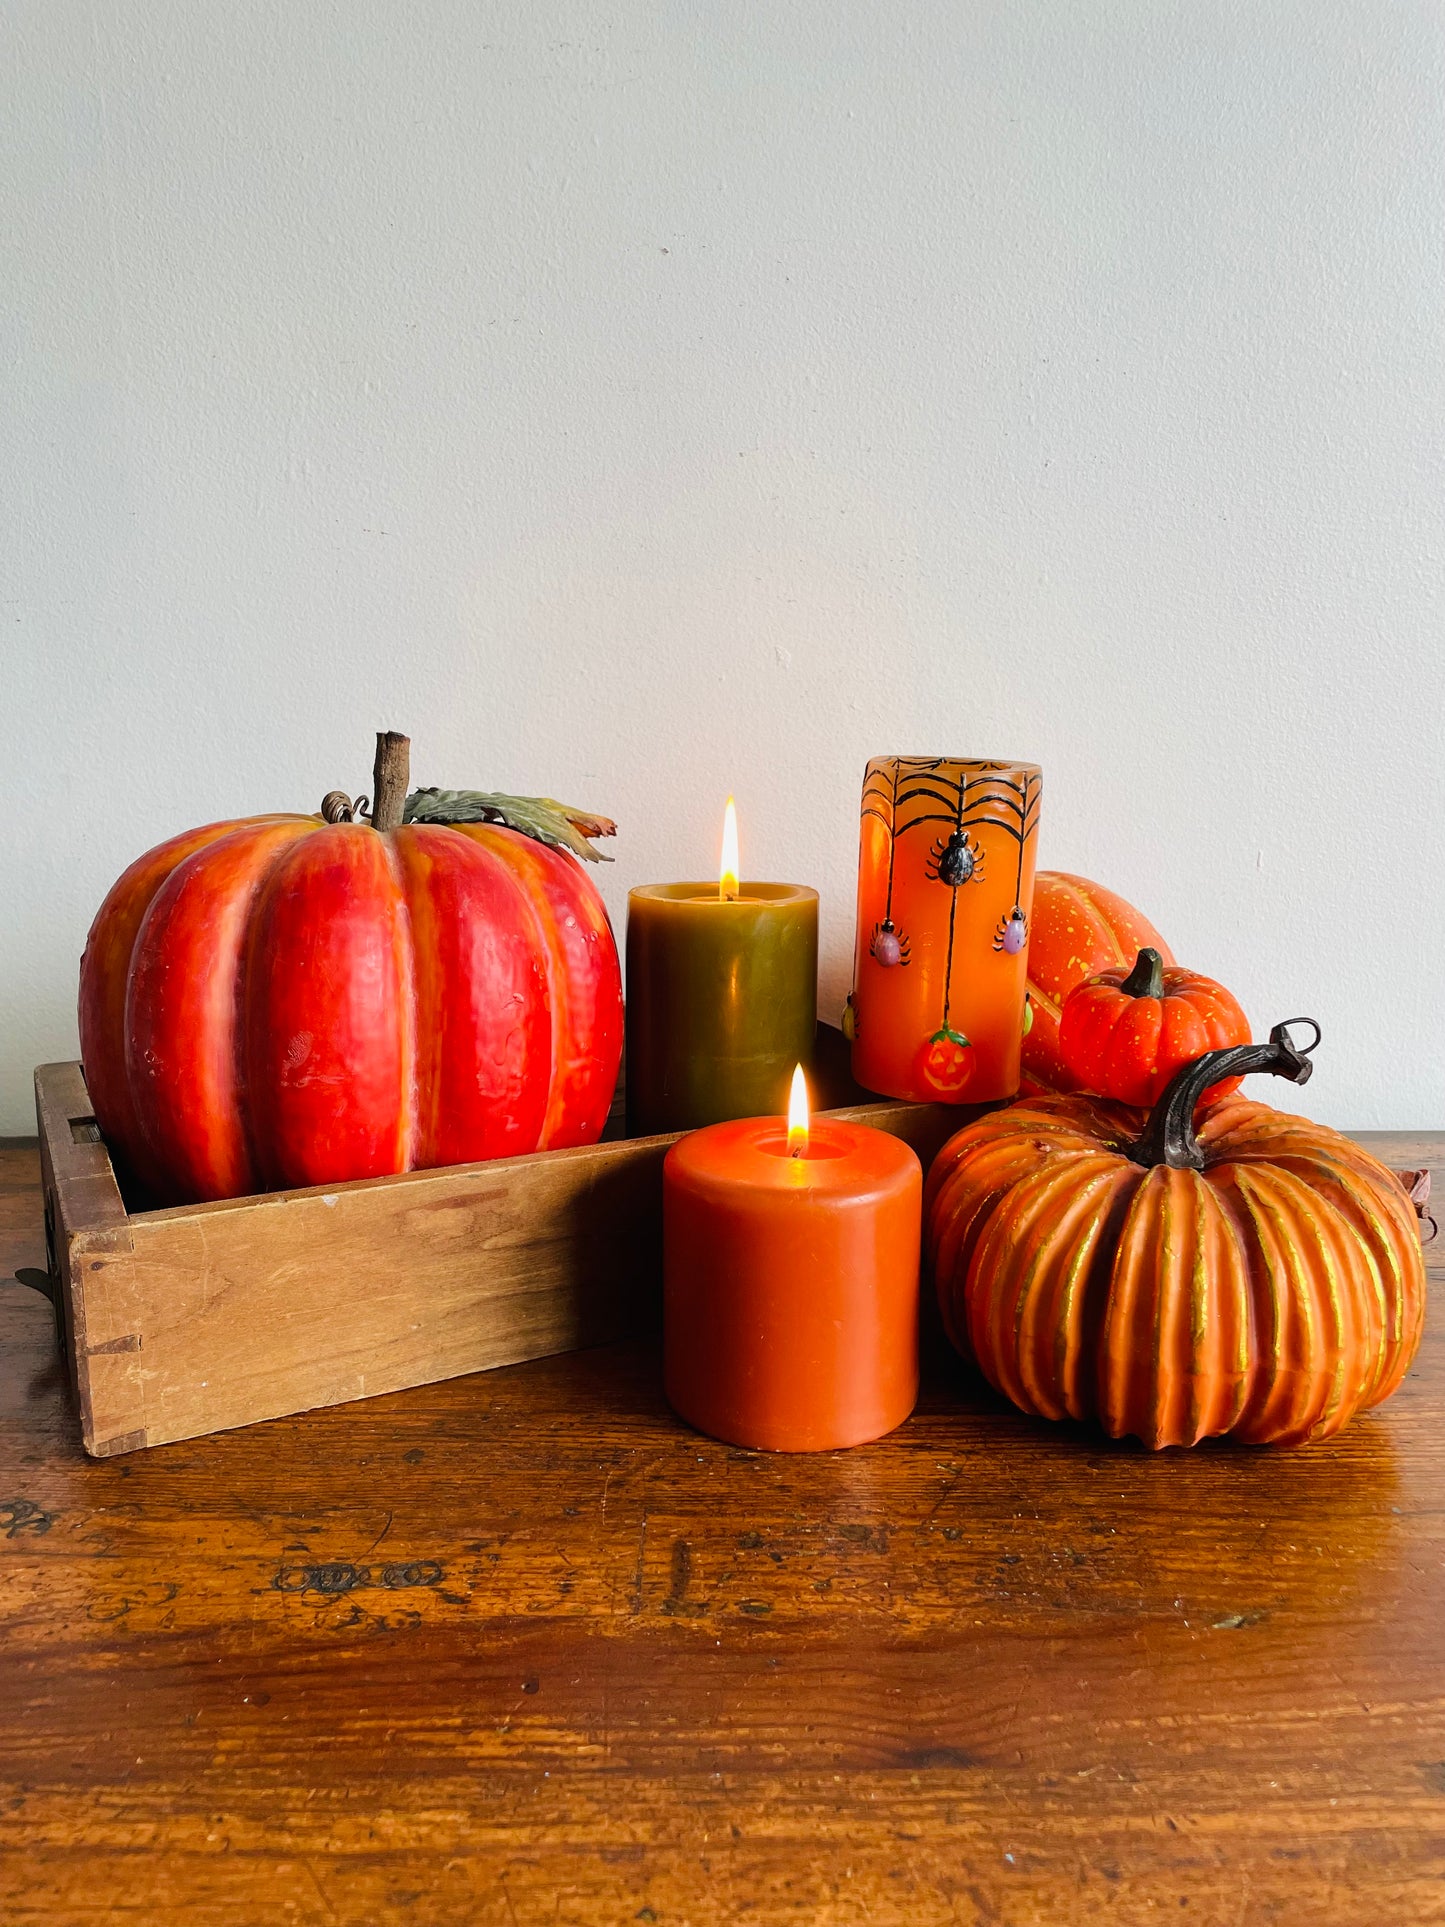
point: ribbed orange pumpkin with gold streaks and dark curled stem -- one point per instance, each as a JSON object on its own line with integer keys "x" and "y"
{"x": 1261, "y": 1279}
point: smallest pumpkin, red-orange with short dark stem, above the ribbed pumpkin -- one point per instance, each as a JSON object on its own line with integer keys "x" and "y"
{"x": 1126, "y": 1032}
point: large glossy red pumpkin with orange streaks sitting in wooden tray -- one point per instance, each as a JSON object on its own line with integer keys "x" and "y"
{"x": 286, "y": 1001}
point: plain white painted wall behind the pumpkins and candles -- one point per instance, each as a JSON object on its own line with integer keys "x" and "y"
{"x": 637, "y": 402}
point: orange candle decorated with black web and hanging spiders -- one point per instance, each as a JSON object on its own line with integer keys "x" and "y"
{"x": 945, "y": 893}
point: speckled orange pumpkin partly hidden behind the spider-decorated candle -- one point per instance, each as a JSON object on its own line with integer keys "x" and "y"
{"x": 1078, "y": 930}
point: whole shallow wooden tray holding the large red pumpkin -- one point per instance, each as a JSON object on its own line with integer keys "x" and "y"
{"x": 192, "y": 1321}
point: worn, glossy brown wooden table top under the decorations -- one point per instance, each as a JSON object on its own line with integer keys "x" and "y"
{"x": 521, "y": 1650}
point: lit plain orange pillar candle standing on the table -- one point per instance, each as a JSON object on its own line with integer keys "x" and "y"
{"x": 791, "y": 1282}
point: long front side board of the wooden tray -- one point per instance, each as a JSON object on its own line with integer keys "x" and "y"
{"x": 280, "y": 1306}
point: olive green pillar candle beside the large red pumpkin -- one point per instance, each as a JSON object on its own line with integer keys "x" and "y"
{"x": 722, "y": 1001}
